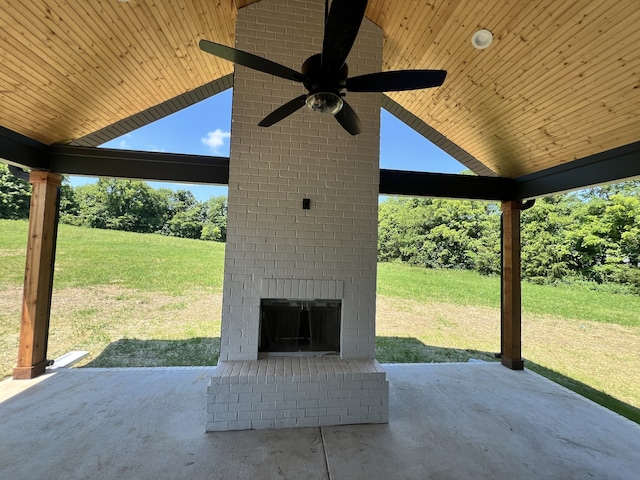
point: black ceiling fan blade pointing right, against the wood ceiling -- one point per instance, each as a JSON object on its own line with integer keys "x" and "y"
{"x": 396, "y": 81}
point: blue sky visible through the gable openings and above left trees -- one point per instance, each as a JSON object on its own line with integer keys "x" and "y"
{"x": 204, "y": 129}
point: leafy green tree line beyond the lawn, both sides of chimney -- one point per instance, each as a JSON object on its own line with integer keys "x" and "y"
{"x": 587, "y": 236}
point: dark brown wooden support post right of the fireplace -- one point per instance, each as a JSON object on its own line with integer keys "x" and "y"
{"x": 511, "y": 307}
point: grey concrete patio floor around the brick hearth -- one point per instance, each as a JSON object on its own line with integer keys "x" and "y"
{"x": 447, "y": 421}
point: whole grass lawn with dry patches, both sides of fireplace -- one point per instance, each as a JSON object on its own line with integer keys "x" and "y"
{"x": 145, "y": 300}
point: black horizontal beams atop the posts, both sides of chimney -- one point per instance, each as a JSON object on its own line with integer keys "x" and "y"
{"x": 618, "y": 164}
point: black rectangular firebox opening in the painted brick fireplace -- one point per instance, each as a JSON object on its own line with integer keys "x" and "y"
{"x": 299, "y": 326}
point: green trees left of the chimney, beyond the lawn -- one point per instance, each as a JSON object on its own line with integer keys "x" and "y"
{"x": 128, "y": 205}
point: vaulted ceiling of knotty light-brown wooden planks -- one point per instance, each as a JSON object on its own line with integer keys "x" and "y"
{"x": 560, "y": 82}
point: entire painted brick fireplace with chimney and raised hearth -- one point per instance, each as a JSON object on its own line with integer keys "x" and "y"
{"x": 278, "y": 251}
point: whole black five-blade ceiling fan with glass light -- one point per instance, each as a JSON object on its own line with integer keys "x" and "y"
{"x": 325, "y": 74}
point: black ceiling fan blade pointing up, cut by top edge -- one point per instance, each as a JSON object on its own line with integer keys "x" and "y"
{"x": 341, "y": 30}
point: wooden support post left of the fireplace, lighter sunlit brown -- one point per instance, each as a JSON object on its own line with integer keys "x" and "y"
{"x": 38, "y": 276}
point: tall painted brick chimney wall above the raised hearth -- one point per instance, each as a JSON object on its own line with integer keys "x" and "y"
{"x": 269, "y": 235}
